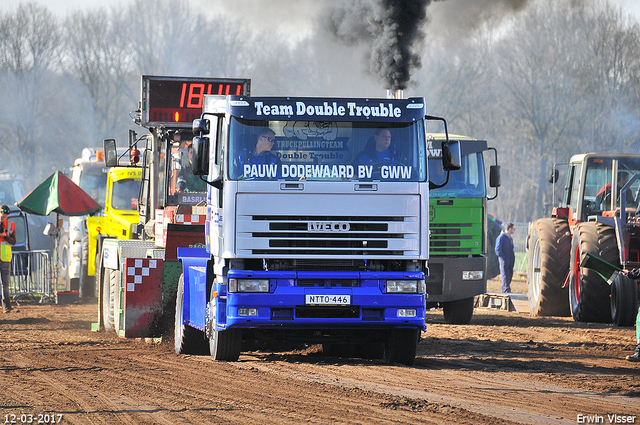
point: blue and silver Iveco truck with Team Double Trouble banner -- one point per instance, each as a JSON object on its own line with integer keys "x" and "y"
{"x": 323, "y": 238}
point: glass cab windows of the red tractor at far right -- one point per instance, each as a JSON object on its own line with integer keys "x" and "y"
{"x": 599, "y": 180}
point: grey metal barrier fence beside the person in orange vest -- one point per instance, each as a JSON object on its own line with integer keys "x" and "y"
{"x": 32, "y": 277}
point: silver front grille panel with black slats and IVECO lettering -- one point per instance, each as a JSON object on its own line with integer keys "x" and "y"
{"x": 345, "y": 236}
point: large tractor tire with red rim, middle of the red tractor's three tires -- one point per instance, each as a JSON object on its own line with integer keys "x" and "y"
{"x": 588, "y": 292}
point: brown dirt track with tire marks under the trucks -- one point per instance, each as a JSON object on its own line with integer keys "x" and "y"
{"x": 504, "y": 368}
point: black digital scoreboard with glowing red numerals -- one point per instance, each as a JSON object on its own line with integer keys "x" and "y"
{"x": 177, "y": 101}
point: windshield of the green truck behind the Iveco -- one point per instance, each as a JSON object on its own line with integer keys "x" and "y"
{"x": 468, "y": 182}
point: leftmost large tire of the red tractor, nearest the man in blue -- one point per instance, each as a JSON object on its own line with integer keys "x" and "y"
{"x": 547, "y": 268}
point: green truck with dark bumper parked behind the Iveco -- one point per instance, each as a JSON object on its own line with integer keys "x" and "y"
{"x": 459, "y": 239}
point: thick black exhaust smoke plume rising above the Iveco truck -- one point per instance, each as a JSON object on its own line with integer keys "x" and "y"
{"x": 391, "y": 29}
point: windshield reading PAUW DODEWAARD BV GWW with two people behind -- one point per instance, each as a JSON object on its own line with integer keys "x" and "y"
{"x": 326, "y": 151}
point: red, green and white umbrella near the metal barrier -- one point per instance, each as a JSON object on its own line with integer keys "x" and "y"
{"x": 58, "y": 193}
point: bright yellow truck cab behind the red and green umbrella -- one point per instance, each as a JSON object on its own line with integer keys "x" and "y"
{"x": 120, "y": 210}
